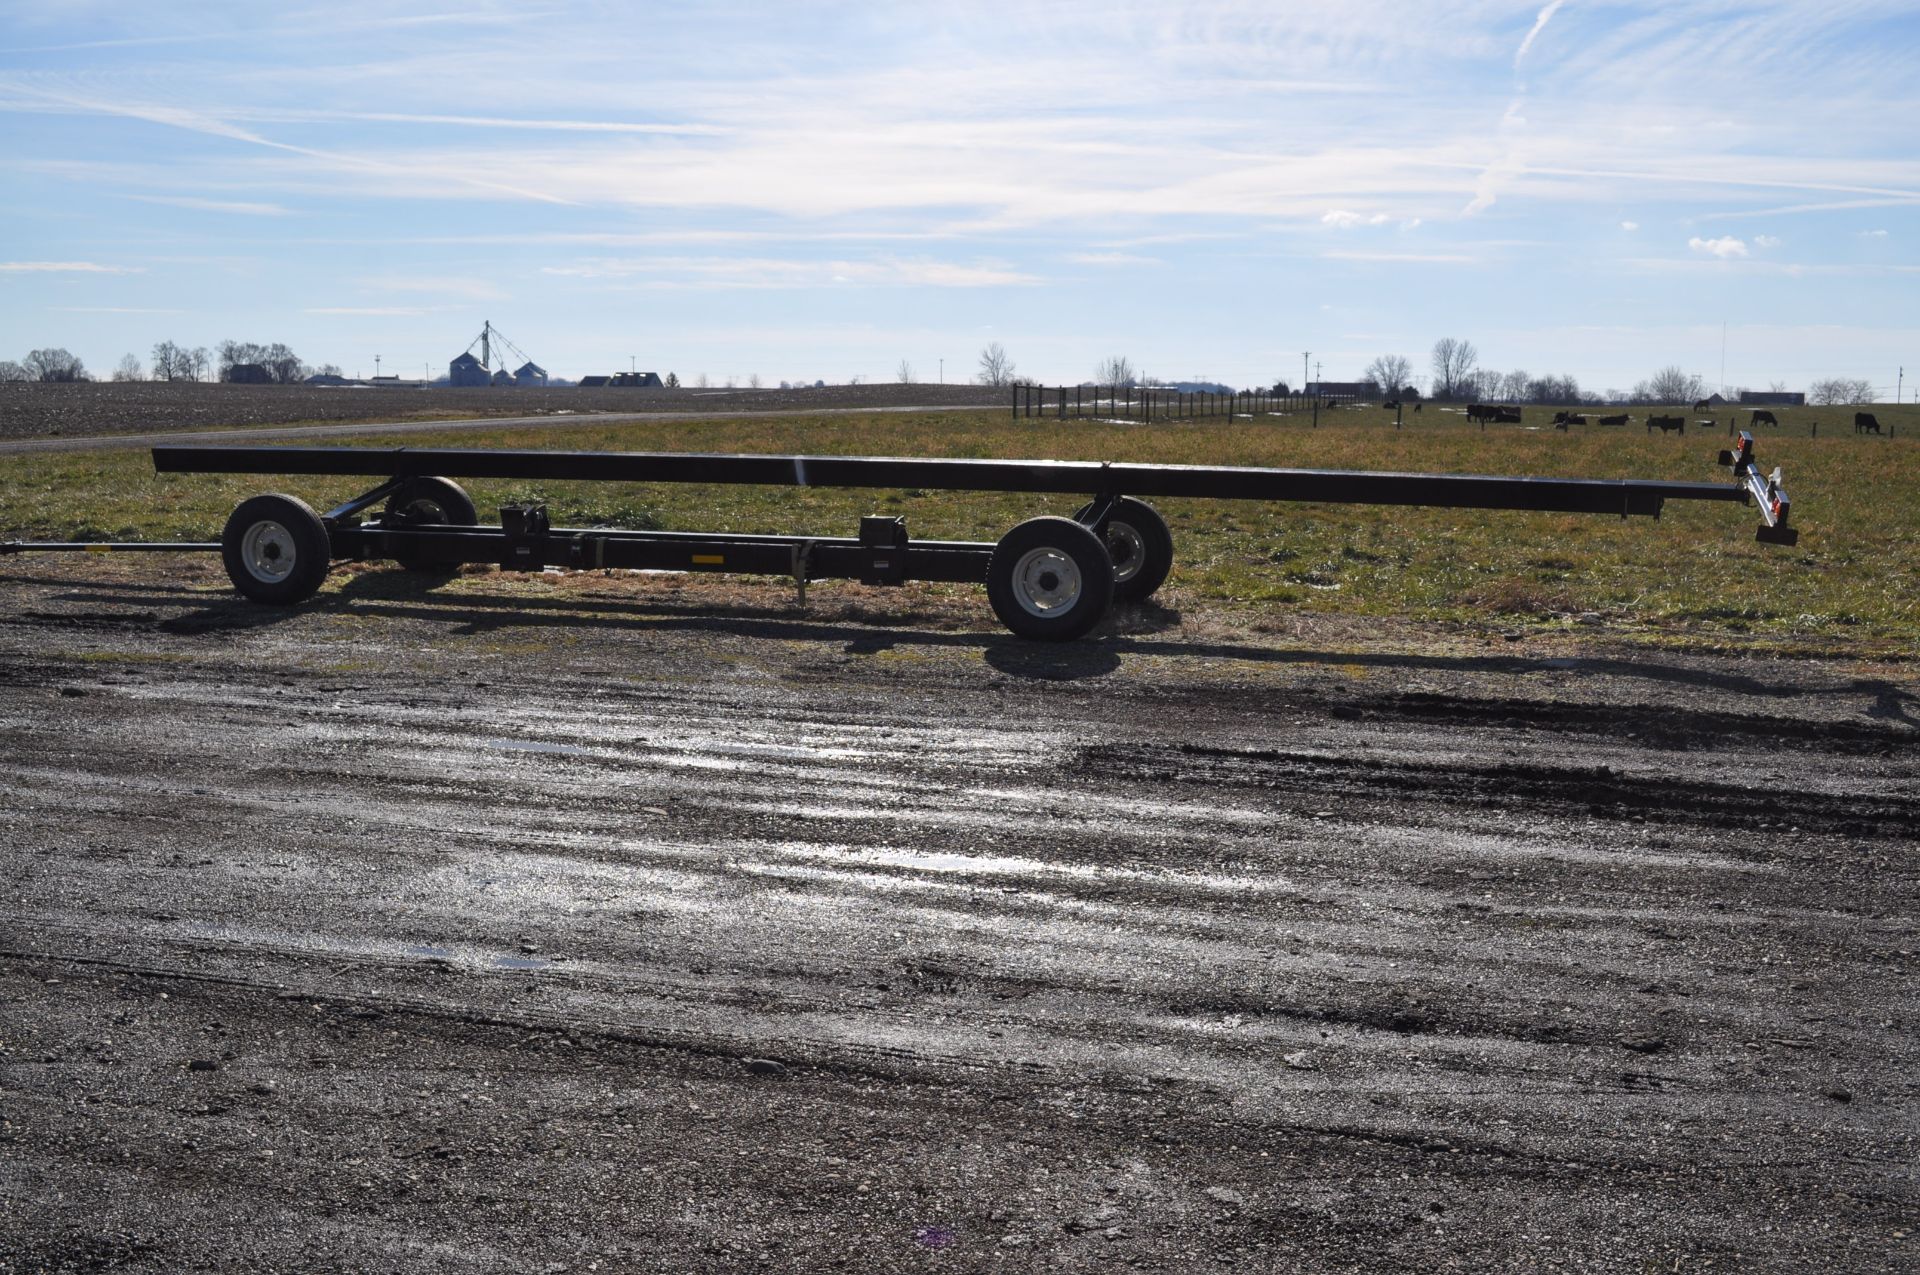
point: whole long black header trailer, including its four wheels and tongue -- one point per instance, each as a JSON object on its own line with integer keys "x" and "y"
{"x": 1049, "y": 579}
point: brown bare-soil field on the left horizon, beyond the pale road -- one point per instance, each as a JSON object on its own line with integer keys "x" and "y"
{"x": 41, "y": 412}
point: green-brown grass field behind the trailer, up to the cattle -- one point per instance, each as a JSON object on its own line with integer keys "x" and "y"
{"x": 1696, "y": 577}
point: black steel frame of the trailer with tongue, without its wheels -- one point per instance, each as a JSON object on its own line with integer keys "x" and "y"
{"x": 882, "y": 554}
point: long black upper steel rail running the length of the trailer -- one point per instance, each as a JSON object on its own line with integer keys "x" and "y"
{"x": 1620, "y": 496}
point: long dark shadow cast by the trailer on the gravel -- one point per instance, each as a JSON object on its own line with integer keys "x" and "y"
{"x": 1143, "y": 631}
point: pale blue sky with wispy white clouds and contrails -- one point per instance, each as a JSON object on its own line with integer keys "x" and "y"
{"x": 823, "y": 191}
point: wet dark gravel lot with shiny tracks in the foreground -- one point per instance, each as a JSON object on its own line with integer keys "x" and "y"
{"x": 650, "y": 930}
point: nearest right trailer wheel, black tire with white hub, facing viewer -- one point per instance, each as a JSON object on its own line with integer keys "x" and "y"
{"x": 1051, "y": 579}
